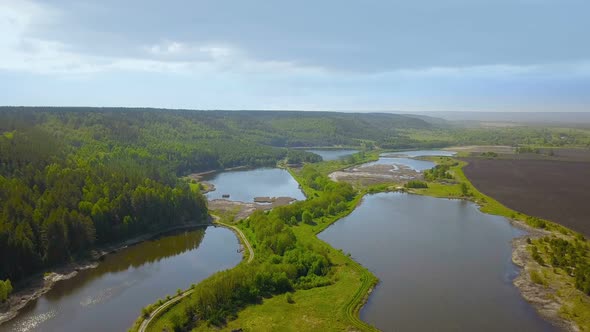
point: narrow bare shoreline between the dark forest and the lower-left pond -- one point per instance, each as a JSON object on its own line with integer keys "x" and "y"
{"x": 37, "y": 285}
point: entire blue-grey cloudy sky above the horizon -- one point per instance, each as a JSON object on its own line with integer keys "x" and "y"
{"x": 370, "y": 55}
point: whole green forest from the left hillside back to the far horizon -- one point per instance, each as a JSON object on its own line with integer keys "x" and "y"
{"x": 72, "y": 178}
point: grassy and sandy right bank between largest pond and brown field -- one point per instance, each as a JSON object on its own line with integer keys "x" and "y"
{"x": 554, "y": 297}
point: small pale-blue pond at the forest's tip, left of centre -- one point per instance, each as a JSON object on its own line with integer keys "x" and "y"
{"x": 244, "y": 185}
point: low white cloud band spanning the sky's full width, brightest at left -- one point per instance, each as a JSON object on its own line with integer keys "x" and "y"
{"x": 21, "y": 50}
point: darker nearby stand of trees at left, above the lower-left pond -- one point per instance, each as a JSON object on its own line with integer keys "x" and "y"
{"x": 56, "y": 206}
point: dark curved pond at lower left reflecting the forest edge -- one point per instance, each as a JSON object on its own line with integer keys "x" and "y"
{"x": 110, "y": 297}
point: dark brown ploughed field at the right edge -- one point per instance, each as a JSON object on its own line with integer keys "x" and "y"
{"x": 549, "y": 189}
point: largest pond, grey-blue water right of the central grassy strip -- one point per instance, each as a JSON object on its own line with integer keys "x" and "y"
{"x": 443, "y": 265}
